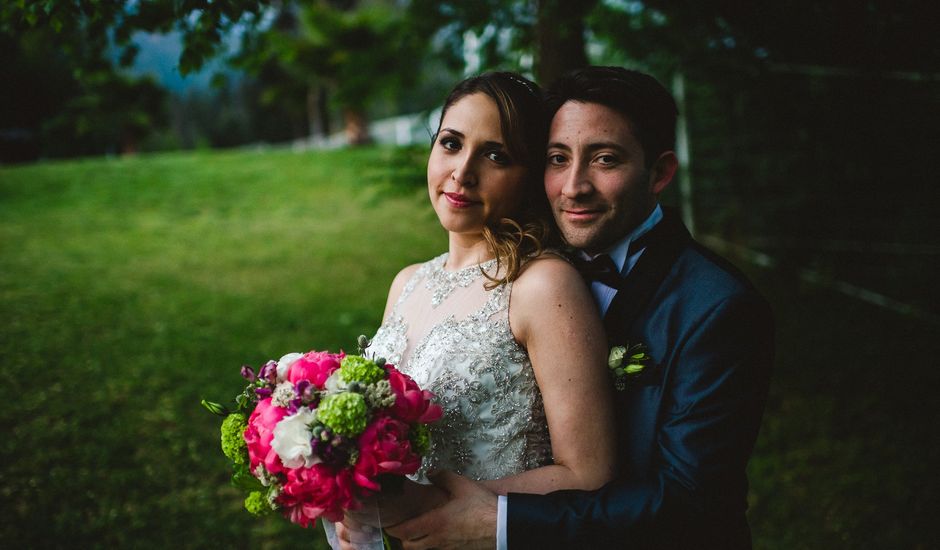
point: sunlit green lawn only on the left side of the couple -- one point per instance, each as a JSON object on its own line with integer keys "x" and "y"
{"x": 139, "y": 286}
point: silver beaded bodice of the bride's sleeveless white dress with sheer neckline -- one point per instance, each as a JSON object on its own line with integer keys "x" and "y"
{"x": 452, "y": 336}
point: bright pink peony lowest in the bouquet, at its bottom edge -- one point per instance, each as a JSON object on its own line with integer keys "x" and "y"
{"x": 318, "y": 491}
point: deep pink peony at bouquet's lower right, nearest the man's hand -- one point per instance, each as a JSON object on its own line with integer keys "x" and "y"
{"x": 384, "y": 448}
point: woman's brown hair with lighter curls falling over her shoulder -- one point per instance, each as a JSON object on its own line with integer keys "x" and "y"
{"x": 524, "y": 128}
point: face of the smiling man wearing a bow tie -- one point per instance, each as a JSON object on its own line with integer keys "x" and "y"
{"x": 595, "y": 177}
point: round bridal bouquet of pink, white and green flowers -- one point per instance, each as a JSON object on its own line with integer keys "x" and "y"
{"x": 313, "y": 434}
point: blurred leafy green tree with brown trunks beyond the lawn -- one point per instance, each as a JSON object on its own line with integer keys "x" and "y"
{"x": 353, "y": 52}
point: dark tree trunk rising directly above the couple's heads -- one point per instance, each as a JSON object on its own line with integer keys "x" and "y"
{"x": 560, "y": 38}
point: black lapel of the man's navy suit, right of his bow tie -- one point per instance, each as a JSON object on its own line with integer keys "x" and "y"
{"x": 664, "y": 243}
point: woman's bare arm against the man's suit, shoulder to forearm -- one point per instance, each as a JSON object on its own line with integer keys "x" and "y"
{"x": 552, "y": 313}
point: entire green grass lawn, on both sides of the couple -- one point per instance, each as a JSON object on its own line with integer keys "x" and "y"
{"x": 130, "y": 289}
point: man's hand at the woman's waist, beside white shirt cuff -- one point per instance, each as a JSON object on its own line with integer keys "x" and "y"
{"x": 466, "y": 520}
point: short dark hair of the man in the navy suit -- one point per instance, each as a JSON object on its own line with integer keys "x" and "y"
{"x": 648, "y": 107}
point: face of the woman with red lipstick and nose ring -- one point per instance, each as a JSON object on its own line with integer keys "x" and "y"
{"x": 472, "y": 180}
